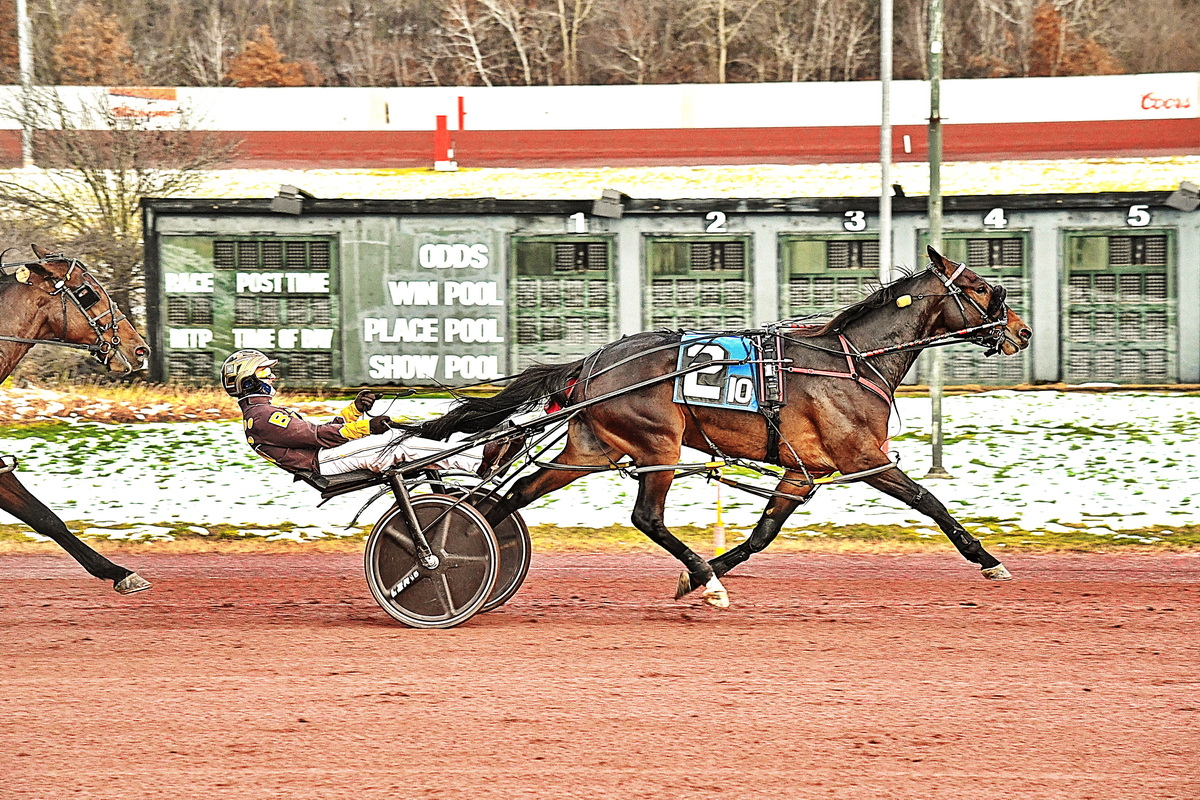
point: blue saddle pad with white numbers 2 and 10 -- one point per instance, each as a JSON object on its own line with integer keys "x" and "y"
{"x": 734, "y": 387}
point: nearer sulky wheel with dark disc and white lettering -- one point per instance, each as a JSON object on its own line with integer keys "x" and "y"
{"x": 454, "y": 591}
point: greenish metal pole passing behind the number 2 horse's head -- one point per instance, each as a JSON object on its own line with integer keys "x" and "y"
{"x": 935, "y": 219}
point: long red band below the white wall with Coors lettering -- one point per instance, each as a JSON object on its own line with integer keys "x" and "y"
{"x": 807, "y": 146}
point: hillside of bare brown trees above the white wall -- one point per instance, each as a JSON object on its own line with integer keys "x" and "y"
{"x": 523, "y": 43}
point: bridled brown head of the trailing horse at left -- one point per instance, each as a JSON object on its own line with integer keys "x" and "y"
{"x": 80, "y": 310}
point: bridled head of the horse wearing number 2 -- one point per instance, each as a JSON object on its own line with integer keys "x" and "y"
{"x": 974, "y": 303}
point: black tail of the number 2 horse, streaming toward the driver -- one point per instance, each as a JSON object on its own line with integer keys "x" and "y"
{"x": 527, "y": 392}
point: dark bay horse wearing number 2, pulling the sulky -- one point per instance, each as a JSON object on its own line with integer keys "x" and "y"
{"x": 839, "y": 377}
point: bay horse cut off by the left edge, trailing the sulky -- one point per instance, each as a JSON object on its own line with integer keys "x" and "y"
{"x": 55, "y": 300}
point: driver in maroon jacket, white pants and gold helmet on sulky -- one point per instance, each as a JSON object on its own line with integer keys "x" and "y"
{"x": 350, "y": 442}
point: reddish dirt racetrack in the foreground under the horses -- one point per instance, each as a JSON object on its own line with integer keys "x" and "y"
{"x": 860, "y": 677}
